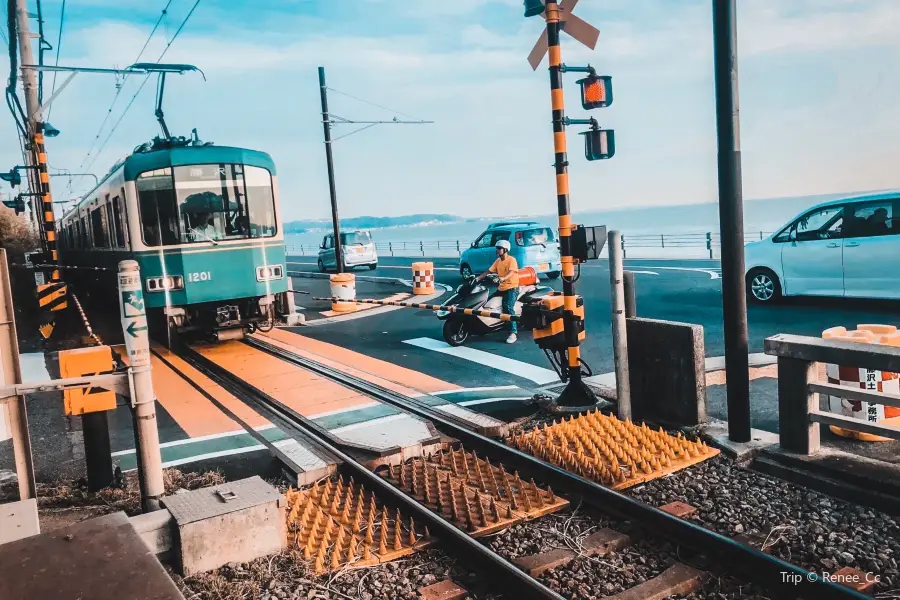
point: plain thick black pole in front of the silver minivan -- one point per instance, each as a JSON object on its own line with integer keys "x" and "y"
{"x": 731, "y": 219}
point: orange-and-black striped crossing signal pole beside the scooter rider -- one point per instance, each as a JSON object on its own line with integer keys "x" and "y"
{"x": 576, "y": 392}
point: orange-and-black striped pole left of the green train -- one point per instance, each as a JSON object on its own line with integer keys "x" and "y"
{"x": 52, "y": 292}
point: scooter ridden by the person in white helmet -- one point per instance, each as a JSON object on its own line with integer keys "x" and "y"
{"x": 473, "y": 294}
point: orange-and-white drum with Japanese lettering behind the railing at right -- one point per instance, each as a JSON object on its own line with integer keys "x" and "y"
{"x": 869, "y": 379}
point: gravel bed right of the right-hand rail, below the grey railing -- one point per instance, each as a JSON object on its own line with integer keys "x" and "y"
{"x": 804, "y": 527}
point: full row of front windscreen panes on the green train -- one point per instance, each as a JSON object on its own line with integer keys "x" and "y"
{"x": 208, "y": 203}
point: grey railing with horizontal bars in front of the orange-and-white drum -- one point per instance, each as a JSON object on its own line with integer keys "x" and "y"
{"x": 799, "y": 415}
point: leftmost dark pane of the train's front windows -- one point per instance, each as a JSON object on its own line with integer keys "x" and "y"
{"x": 158, "y": 207}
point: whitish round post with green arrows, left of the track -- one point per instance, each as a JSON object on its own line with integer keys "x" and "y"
{"x": 143, "y": 401}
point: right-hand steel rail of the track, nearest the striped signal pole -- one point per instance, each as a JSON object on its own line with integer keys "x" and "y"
{"x": 763, "y": 568}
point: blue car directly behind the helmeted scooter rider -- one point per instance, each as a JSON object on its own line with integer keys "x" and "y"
{"x": 532, "y": 245}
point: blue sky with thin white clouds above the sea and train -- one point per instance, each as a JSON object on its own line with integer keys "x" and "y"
{"x": 818, "y": 98}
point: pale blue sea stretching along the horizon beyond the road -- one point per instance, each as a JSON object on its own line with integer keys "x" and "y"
{"x": 682, "y": 227}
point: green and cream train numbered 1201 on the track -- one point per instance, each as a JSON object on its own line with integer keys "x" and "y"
{"x": 204, "y": 225}
